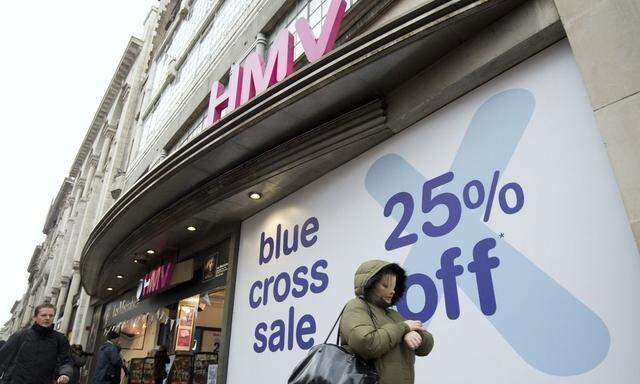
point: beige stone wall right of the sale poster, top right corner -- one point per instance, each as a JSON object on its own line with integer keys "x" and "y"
{"x": 604, "y": 36}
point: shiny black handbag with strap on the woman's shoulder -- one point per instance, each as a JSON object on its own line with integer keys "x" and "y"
{"x": 331, "y": 364}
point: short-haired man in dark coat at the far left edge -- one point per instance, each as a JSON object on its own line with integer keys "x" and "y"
{"x": 38, "y": 354}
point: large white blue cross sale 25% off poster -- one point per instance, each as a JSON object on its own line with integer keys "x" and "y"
{"x": 504, "y": 210}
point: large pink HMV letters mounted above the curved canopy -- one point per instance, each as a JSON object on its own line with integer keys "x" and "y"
{"x": 253, "y": 77}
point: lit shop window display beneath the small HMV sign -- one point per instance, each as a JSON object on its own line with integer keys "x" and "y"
{"x": 190, "y": 328}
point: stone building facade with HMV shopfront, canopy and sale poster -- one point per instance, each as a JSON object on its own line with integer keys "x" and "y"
{"x": 248, "y": 155}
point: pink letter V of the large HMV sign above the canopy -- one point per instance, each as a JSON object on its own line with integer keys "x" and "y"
{"x": 315, "y": 49}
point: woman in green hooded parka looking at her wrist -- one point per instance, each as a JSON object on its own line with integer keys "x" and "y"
{"x": 377, "y": 333}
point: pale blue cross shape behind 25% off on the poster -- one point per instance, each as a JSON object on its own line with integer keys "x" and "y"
{"x": 546, "y": 325}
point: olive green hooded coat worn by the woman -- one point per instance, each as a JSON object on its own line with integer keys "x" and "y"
{"x": 384, "y": 344}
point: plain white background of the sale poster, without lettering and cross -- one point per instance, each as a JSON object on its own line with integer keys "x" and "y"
{"x": 573, "y": 226}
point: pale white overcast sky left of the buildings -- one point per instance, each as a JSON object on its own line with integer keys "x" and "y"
{"x": 57, "y": 60}
